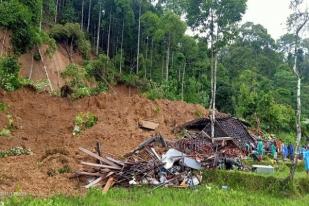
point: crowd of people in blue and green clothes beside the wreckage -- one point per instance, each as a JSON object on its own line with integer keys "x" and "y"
{"x": 276, "y": 149}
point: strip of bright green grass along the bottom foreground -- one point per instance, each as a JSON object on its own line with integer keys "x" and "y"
{"x": 201, "y": 196}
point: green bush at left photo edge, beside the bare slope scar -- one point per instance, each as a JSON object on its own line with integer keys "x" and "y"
{"x": 9, "y": 70}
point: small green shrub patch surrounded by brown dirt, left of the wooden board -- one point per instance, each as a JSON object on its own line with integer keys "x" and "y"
{"x": 84, "y": 121}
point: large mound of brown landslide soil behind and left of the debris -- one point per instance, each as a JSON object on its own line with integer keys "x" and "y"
{"x": 45, "y": 123}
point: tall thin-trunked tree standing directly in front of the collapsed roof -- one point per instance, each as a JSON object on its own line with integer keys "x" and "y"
{"x": 216, "y": 19}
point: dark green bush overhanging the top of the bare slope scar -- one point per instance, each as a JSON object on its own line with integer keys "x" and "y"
{"x": 71, "y": 35}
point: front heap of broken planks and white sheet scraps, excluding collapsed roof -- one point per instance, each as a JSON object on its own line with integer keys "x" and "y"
{"x": 149, "y": 164}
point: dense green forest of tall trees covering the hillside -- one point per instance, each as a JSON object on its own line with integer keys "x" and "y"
{"x": 167, "y": 49}
